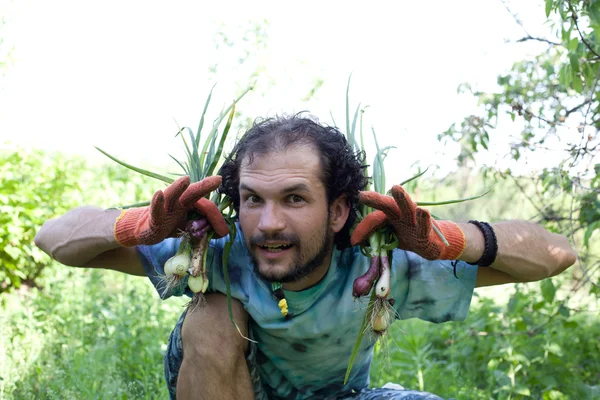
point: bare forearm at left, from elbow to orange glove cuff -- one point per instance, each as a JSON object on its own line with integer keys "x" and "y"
{"x": 79, "y": 236}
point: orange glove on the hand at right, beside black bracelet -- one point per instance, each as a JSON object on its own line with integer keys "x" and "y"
{"x": 411, "y": 224}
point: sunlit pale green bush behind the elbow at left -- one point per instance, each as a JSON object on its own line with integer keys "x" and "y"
{"x": 37, "y": 186}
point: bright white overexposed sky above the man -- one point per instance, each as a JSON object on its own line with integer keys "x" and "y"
{"x": 117, "y": 74}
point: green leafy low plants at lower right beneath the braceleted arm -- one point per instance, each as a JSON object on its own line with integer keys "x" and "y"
{"x": 534, "y": 347}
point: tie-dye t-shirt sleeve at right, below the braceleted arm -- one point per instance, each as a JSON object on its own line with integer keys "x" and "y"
{"x": 436, "y": 291}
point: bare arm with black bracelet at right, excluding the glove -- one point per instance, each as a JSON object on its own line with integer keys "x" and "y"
{"x": 526, "y": 253}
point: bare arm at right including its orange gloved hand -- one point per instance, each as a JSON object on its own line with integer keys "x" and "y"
{"x": 526, "y": 251}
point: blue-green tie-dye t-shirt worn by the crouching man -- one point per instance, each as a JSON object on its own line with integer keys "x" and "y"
{"x": 307, "y": 354}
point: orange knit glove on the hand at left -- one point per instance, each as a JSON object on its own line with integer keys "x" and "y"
{"x": 168, "y": 211}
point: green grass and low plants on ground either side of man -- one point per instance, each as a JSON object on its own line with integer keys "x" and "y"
{"x": 102, "y": 335}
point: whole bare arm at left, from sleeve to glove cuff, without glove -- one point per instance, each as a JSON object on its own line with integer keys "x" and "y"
{"x": 84, "y": 237}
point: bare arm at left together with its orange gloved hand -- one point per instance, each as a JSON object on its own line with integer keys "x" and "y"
{"x": 97, "y": 238}
